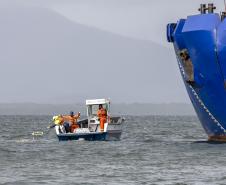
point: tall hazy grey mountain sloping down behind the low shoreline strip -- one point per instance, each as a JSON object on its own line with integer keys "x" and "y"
{"x": 46, "y": 58}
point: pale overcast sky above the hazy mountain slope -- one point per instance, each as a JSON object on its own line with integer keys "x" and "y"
{"x": 143, "y": 19}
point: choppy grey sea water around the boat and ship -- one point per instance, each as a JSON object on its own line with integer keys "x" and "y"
{"x": 152, "y": 150}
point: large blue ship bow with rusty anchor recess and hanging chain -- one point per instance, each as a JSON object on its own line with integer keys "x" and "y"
{"x": 200, "y": 44}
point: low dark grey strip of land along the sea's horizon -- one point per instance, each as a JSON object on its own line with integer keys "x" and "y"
{"x": 116, "y": 109}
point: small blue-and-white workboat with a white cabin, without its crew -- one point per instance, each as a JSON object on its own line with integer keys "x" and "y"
{"x": 89, "y": 129}
